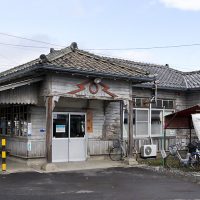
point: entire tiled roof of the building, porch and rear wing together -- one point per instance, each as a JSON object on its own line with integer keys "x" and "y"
{"x": 74, "y": 59}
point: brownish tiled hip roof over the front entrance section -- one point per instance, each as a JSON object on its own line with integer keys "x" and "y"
{"x": 73, "y": 59}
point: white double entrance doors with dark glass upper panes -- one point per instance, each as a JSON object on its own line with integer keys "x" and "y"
{"x": 69, "y": 141}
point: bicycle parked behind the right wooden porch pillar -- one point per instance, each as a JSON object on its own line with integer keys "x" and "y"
{"x": 119, "y": 150}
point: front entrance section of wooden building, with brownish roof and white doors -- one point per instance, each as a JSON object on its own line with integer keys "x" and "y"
{"x": 67, "y": 105}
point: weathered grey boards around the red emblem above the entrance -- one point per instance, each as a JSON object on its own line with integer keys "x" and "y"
{"x": 61, "y": 85}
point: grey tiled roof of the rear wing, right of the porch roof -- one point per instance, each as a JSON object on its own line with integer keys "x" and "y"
{"x": 166, "y": 76}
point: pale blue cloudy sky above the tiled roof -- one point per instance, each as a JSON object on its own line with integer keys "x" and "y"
{"x": 103, "y": 24}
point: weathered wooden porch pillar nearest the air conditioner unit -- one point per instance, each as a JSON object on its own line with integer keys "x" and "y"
{"x": 130, "y": 128}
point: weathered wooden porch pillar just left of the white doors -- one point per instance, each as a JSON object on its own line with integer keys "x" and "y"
{"x": 49, "y": 109}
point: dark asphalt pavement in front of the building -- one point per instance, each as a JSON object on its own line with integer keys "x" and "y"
{"x": 102, "y": 184}
